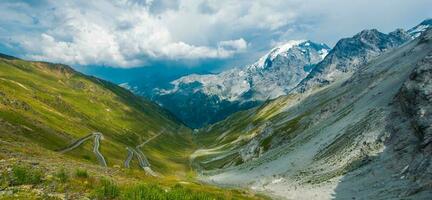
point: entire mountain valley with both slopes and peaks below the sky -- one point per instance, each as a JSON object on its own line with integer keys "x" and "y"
{"x": 305, "y": 121}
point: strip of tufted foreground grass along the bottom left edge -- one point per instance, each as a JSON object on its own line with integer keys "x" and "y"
{"x": 107, "y": 187}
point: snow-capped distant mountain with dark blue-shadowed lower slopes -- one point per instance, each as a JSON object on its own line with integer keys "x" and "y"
{"x": 204, "y": 99}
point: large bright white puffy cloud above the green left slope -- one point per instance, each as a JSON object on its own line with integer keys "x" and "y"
{"x": 123, "y": 35}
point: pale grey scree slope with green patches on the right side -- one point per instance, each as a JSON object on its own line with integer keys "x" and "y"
{"x": 362, "y": 137}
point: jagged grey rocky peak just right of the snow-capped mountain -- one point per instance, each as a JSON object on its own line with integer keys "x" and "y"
{"x": 350, "y": 53}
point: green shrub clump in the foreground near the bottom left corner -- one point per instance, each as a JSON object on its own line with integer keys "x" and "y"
{"x": 25, "y": 175}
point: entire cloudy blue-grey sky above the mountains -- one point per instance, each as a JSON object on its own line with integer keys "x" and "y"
{"x": 134, "y": 33}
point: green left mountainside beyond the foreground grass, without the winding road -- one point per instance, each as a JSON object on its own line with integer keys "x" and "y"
{"x": 52, "y": 105}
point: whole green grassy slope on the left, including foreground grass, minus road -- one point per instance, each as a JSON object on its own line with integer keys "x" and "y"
{"x": 45, "y": 107}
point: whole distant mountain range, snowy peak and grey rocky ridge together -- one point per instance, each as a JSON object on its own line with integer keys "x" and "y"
{"x": 199, "y": 100}
